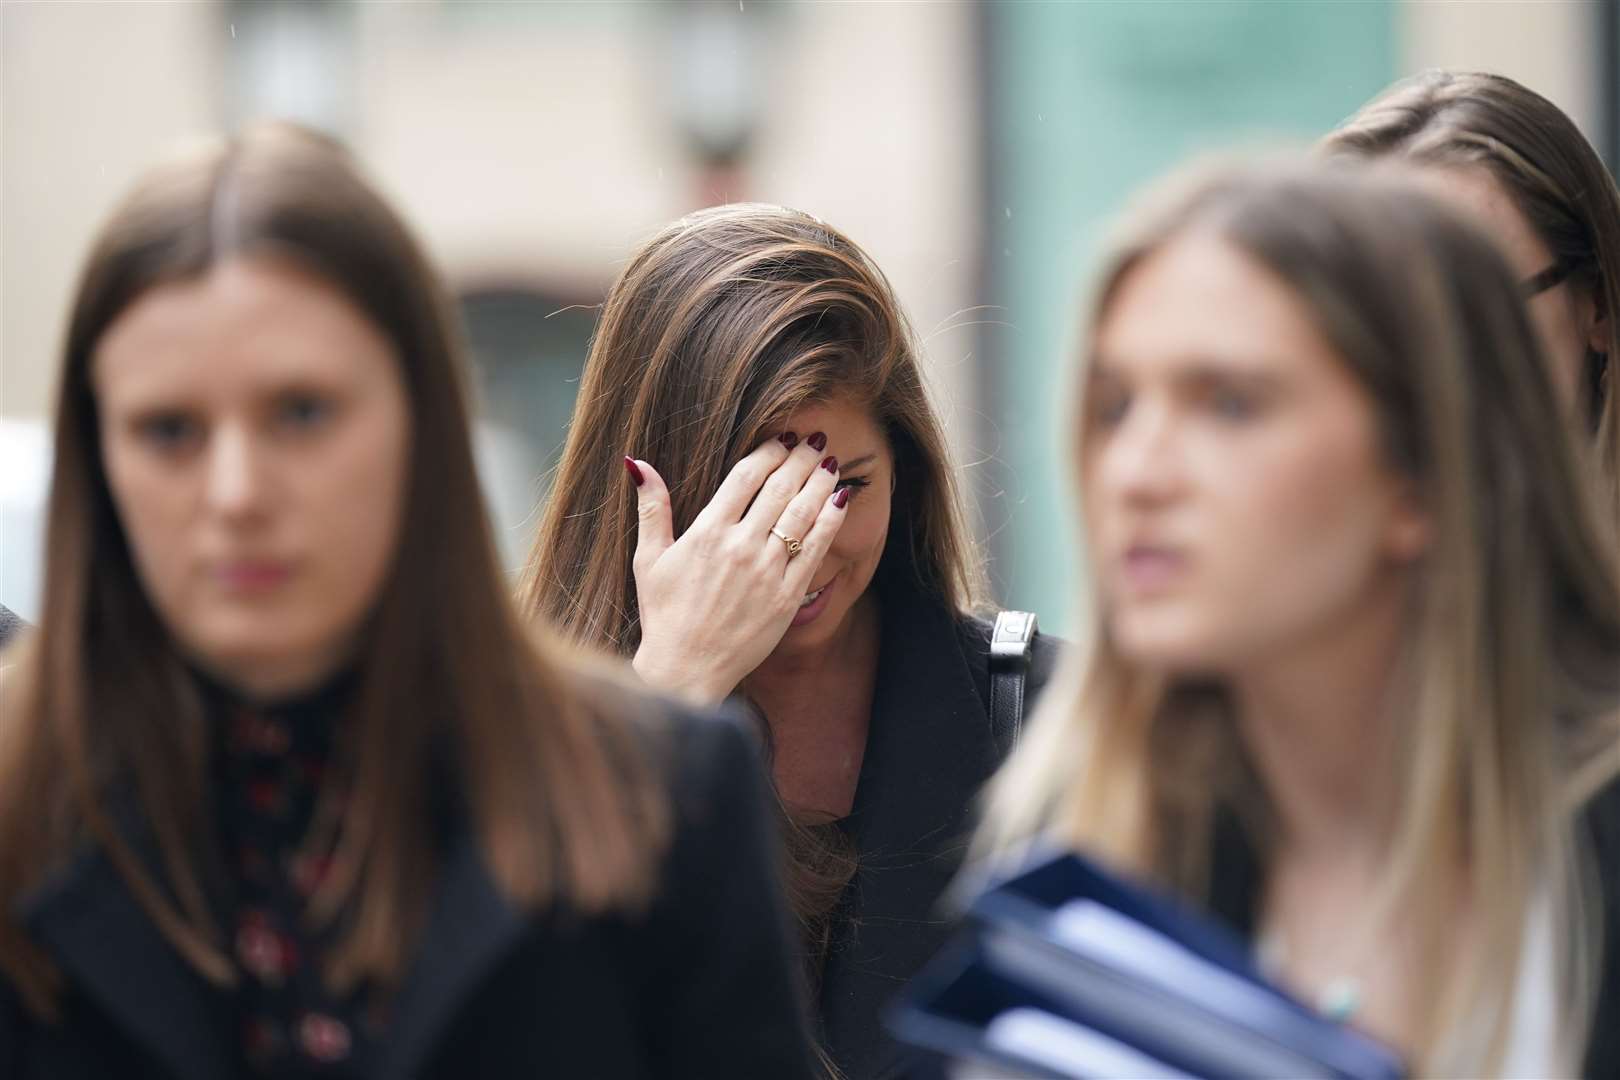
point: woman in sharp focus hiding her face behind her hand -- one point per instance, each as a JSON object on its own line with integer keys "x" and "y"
{"x": 790, "y": 532}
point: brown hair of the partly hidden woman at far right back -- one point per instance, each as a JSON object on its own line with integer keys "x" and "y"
{"x": 1551, "y": 172}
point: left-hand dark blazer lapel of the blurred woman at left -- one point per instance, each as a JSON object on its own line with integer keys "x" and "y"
{"x": 111, "y": 953}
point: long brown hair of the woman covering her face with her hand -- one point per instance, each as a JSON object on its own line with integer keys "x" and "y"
{"x": 720, "y": 328}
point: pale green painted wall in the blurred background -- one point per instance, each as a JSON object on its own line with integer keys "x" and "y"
{"x": 1086, "y": 103}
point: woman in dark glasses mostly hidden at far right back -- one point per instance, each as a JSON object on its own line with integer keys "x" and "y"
{"x": 1519, "y": 163}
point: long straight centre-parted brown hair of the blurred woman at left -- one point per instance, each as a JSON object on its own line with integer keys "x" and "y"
{"x": 451, "y": 687}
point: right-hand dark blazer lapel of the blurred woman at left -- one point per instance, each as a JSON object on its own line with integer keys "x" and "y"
{"x": 471, "y": 929}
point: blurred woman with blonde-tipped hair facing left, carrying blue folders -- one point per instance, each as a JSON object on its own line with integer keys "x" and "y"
{"x": 1355, "y": 674}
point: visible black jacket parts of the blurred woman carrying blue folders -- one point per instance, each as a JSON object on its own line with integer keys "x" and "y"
{"x": 1237, "y": 883}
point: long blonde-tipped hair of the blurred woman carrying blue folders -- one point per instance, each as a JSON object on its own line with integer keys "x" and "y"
{"x": 1511, "y": 670}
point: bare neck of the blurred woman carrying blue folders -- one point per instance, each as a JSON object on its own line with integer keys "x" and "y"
{"x": 1319, "y": 723}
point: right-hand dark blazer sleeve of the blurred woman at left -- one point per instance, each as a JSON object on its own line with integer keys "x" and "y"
{"x": 728, "y": 1000}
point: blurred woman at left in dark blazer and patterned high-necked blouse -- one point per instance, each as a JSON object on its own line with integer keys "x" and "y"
{"x": 284, "y": 788}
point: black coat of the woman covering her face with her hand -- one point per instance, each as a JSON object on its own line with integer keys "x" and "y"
{"x": 929, "y": 754}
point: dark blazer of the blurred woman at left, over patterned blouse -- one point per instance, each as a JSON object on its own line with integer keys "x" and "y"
{"x": 701, "y": 987}
